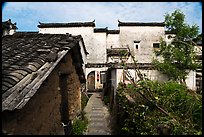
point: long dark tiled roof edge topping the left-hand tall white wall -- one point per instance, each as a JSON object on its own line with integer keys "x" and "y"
{"x": 74, "y": 24}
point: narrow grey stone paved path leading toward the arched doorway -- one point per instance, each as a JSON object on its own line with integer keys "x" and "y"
{"x": 98, "y": 116}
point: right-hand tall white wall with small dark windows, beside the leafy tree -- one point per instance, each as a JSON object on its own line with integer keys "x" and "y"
{"x": 147, "y": 35}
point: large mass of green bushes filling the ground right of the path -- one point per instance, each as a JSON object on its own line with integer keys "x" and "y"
{"x": 142, "y": 118}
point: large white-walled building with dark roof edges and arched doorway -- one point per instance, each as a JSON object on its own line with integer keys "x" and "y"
{"x": 104, "y": 46}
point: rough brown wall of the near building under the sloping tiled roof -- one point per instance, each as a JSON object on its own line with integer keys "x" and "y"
{"x": 41, "y": 115}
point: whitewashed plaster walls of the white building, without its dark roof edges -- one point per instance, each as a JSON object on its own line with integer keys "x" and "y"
{"x": 97, "y": 43}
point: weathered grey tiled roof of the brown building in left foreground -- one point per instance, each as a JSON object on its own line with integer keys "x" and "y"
{"x": 27, "y": 60}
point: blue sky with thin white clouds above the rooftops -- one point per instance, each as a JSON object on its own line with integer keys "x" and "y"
{"x": 106, "y": 14}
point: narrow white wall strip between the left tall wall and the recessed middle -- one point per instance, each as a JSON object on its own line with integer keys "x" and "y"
{"x": 98, "y": 54}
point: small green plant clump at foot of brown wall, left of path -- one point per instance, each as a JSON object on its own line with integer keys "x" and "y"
{"x": 79, "y": 125}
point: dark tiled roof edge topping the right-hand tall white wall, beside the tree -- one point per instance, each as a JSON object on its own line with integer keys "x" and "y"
{"x": 140, "y": 23}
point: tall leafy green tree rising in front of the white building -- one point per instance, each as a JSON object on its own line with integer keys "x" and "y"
{"x": 178, "y": 56}
